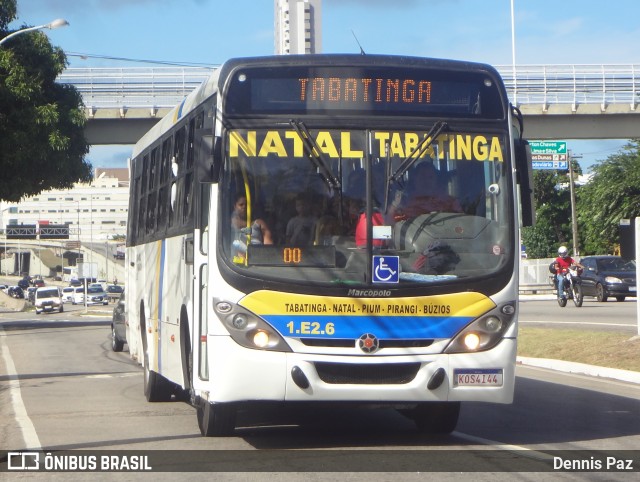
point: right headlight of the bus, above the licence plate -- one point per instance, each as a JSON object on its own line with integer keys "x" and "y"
{"x": 485, "y": 332}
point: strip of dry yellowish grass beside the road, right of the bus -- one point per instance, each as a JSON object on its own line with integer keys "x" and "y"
{"x": 611, "y": 350}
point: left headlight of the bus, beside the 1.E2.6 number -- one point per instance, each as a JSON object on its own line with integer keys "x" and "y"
{"x": 248, "y": 329}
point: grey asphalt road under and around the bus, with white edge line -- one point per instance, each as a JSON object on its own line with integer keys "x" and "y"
{"x": 67, "y": 390}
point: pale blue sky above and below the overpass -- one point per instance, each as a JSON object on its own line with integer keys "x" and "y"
{"x": 207, "y": 32}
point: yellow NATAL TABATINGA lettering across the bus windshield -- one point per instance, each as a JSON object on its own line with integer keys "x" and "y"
{"x": 350, "y": 145}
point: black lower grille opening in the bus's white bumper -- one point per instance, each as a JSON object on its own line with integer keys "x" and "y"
{"x": 367, "y": 374}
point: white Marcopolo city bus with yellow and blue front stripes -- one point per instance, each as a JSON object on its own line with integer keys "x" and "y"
{"x": 384, "y": 297}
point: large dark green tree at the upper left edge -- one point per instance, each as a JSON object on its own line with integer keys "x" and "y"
{"x": 42, "y": 143}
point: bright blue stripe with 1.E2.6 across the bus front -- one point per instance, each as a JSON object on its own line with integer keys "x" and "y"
{"x": 383, "y": 327}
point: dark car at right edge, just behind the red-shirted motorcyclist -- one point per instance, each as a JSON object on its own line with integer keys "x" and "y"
{"x": 606, "y": 276}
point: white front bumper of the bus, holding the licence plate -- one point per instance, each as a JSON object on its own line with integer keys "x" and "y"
{"x": 237, "y": 374}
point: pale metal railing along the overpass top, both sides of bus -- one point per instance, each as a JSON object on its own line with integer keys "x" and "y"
{"x": 160, "y": 87}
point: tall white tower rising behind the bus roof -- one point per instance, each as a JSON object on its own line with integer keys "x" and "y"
{"x": 298, "y": 27}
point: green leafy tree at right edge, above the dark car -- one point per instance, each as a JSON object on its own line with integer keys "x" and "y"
{"x": 612, "y": 194}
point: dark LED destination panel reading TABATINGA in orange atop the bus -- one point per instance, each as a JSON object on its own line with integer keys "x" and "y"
{"x": 371, "y": 90}
